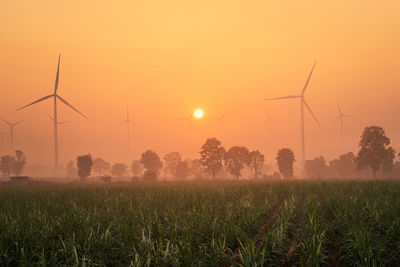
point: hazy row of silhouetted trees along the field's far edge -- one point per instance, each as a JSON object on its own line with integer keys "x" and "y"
{"x": 374, "y": 156}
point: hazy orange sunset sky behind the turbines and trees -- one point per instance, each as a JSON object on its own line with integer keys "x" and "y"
{"x": 165, "y": 58}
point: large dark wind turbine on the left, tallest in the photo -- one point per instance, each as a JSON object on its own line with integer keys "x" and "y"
{"x": 55, "y": 96}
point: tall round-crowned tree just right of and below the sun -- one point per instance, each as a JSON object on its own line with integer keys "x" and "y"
{"x": 211, "y": 156}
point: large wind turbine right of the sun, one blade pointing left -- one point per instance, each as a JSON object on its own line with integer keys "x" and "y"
{"x": 303, "y": 103}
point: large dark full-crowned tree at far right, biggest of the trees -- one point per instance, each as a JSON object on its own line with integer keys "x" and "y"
{"x": 374, "y": 151}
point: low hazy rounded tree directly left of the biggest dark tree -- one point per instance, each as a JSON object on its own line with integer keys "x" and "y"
{"x": 344, "y": 167}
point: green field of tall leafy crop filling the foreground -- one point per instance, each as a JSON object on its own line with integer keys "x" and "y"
{"x": 305, "y": 223}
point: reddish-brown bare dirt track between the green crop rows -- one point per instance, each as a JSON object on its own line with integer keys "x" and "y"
{"x": 271, "y": 218}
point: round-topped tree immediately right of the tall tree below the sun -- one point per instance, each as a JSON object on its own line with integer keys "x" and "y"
{"x": 235, "y": 160}
